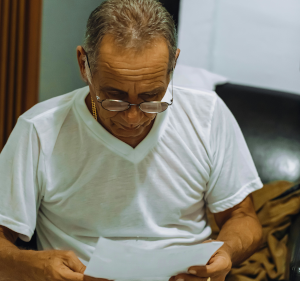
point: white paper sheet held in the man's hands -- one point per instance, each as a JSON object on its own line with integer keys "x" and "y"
{"x": 114, "y": 260}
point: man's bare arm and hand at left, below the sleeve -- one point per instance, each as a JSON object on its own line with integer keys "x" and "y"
{"x": 27, "y": 265}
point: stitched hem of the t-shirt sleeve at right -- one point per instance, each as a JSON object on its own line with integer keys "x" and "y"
{"x": 237, "y": 198}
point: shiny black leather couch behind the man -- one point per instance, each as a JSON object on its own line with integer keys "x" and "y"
{"x": 270, "y": 122}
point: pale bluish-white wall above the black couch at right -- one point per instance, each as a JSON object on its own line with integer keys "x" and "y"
{"x": 255, "y": 43}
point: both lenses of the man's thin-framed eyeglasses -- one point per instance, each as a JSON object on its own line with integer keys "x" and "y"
{"x": 148, "y": 107}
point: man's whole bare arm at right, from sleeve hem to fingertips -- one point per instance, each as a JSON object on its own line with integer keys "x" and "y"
{"x": 241, "y": 232}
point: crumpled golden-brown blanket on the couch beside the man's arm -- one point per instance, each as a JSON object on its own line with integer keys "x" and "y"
{"x": 269, "y": 262}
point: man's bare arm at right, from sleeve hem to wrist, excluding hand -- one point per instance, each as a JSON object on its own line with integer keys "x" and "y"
{"x": 240, "y": 230}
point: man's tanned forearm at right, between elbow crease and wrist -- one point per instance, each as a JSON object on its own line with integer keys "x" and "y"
{"x": 242, "y": 236}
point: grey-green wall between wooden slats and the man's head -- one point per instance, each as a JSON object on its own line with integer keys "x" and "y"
{"x": 63, "y": 29}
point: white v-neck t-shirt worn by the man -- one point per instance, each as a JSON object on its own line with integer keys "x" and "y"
{"x": 62, "y": 173}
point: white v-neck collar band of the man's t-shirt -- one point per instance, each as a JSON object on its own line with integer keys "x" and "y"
{"x": 119, "y": 147}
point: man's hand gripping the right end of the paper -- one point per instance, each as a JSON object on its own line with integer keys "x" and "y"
{"x": 217, "y": 268}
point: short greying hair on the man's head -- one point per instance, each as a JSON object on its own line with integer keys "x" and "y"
{"x": 133, "y": 24}
